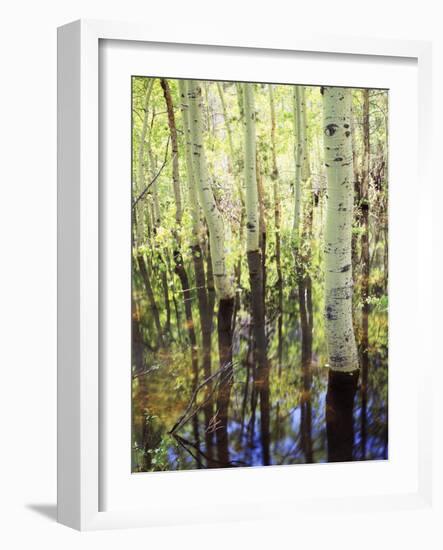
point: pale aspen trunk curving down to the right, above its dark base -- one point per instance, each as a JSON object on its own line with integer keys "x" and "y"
{"x": 214, "y": 219}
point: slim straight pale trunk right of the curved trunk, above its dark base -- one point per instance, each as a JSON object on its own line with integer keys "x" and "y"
{"x": 251, "y": 192}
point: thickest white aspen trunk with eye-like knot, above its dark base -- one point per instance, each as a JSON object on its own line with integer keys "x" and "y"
{"x": 342, "y": 350}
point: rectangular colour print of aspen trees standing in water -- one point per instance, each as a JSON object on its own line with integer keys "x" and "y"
{"x": 259, "y": 274}
